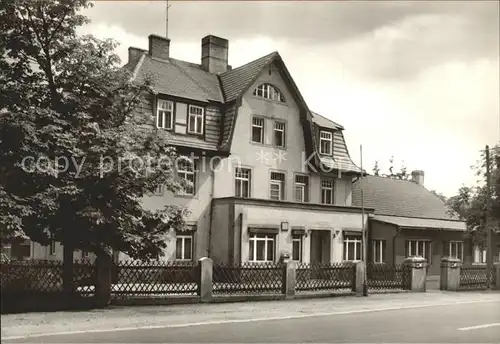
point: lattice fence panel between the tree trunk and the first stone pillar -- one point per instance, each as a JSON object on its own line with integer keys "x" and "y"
{"x": 158, "y": 279}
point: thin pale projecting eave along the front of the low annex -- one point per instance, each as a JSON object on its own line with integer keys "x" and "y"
{"x": 422, "y": 223}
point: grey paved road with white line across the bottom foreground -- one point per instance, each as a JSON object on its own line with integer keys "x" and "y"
{"x": 477, "y": 322}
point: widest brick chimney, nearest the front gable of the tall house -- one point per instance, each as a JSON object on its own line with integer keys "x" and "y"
{"x": 214, "y": 52}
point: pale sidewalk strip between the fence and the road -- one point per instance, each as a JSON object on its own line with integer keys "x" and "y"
{"x": 14, "y": 325}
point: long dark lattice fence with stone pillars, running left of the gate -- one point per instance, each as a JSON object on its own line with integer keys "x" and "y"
{"x": 133, "y": 282}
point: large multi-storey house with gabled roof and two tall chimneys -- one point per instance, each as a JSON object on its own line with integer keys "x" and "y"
{"x": 268, "y": 177}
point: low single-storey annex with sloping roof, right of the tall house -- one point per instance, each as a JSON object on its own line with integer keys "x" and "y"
{"x": 409, "y": 220}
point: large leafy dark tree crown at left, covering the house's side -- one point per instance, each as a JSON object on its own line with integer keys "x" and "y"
{"x": 76, "y": 156}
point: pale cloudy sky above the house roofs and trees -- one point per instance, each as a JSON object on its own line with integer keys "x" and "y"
{"x": 415, "y": 80}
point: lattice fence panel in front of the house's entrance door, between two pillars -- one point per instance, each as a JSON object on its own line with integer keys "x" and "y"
{"x": 317, "y": 277}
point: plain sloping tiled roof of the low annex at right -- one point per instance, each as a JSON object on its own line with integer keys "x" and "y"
{"x": 399, "y": 198}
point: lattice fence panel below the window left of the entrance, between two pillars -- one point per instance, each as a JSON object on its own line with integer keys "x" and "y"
{"x": 248, "y": 278}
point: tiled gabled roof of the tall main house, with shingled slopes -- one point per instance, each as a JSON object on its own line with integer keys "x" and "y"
{"x": 190, "y": 81}
